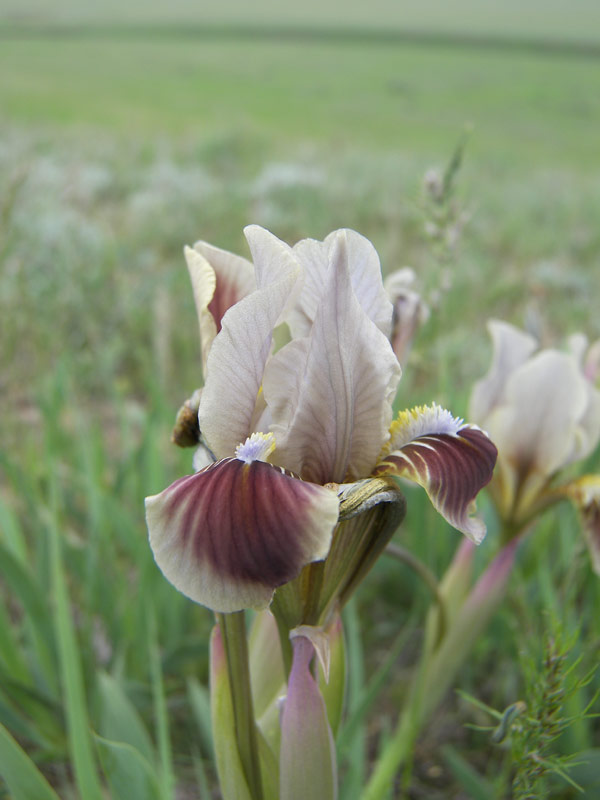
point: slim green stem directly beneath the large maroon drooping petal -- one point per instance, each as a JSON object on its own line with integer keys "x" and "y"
{"x": 235, "y": 643}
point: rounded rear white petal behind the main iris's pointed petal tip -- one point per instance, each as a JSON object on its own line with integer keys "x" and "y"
{"x": 364, "y": 269}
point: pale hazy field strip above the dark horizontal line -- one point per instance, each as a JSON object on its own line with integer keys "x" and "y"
{"x": 520, "y": 19}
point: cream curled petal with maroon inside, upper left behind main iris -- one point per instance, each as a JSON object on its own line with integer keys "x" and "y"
{"x": 219, "y": 280}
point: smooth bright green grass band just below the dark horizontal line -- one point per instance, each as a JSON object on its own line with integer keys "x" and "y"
{"x": 527, "y": 108}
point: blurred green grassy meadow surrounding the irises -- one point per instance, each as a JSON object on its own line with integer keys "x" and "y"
{"x": 121, "y": 143}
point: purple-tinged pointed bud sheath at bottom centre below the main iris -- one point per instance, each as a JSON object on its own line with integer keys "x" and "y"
{"x": 307, "y": 756}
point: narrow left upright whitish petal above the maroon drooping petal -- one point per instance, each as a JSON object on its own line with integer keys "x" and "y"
{"x": 237, "y": 360}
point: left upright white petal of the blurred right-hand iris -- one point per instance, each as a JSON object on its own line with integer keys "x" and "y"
{"x": 512, "y": 348}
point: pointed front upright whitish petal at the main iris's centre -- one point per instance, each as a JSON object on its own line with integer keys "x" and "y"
{"x": 330, "y": 394}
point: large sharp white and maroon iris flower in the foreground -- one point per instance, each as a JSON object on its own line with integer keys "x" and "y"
{"x": 295, "y": 418}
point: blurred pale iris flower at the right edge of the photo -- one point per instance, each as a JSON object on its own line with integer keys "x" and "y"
{"x": 542, "y": 410}
